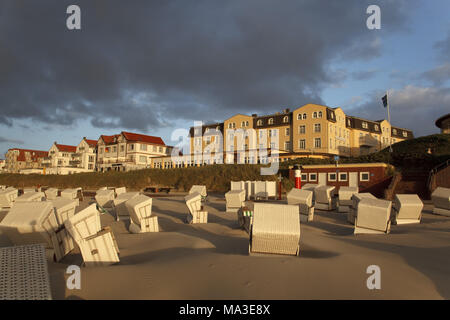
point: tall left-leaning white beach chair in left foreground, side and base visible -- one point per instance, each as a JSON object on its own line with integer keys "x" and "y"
{"x": 98, "y": 246}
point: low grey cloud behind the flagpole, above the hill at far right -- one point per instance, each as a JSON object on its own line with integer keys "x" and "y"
{"x": 423, "y": 105}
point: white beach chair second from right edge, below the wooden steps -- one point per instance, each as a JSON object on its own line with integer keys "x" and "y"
{"x": 406, "y": 209}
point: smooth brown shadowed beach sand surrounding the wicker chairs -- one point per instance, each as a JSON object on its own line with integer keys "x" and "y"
{"x": 211, "y": 261}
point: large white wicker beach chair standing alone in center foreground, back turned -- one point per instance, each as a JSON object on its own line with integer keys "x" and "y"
{"x": 275, "y": 229}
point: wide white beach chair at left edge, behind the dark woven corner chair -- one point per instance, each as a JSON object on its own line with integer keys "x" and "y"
{"x": 30, "y": 223}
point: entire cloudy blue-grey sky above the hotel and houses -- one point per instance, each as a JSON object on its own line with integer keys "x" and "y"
{"x": 155, "y": 66}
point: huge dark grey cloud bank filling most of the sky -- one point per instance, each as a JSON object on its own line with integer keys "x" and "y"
{"x": 141, "y": 64}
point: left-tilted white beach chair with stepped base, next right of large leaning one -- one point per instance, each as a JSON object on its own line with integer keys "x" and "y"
{"x": 140, "y": 210}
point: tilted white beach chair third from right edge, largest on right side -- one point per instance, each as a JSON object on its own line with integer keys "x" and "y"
{"x": 373, "y": 216}
